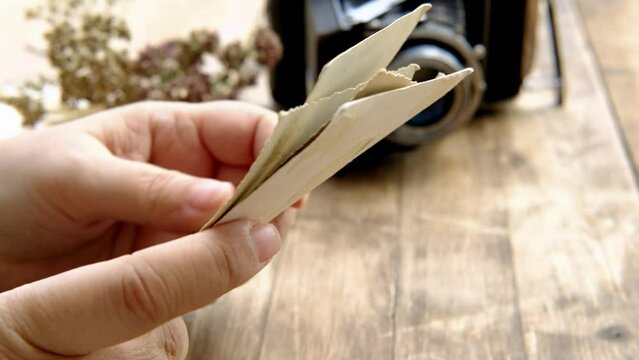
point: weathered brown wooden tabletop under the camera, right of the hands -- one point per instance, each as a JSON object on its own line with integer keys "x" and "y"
{"x": 513, "y": 238}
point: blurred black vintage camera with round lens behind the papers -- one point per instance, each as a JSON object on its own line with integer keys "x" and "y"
{"x": 494, "y": 37}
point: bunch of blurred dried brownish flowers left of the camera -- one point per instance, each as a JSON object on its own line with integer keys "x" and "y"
{"x": 86, "y": 45}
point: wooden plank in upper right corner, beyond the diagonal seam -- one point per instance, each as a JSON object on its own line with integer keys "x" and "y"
{"x": 613, "y": 32}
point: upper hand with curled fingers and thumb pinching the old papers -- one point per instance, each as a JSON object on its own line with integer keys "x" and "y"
{"x": 100, "y": 187}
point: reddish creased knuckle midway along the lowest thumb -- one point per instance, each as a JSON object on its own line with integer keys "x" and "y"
{"x": 142, "y": 293}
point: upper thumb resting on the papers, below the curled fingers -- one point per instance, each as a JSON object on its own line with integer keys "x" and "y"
{"x": 147, "y": 194}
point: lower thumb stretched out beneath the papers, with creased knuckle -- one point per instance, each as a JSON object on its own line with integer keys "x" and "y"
{"x": 104, "y": 304}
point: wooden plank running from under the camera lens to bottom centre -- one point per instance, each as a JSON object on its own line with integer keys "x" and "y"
{"x": 335, "y": 288}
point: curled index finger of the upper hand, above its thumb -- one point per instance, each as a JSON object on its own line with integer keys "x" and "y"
{"x": 192, "y": 138}
